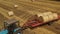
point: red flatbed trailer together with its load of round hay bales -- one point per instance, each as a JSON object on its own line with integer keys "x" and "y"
{"x": 42, "y": 18}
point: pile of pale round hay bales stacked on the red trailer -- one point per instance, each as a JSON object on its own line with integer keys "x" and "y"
{"x": 47, "y": 16}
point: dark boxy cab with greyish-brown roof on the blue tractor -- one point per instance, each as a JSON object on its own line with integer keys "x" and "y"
{"x": 13, "y": 23}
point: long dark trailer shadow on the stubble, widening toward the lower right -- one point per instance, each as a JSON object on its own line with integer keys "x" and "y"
{"x": 51, "y": 26}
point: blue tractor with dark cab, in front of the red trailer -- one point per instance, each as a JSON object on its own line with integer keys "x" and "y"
{"x": 11, "y": 26}
